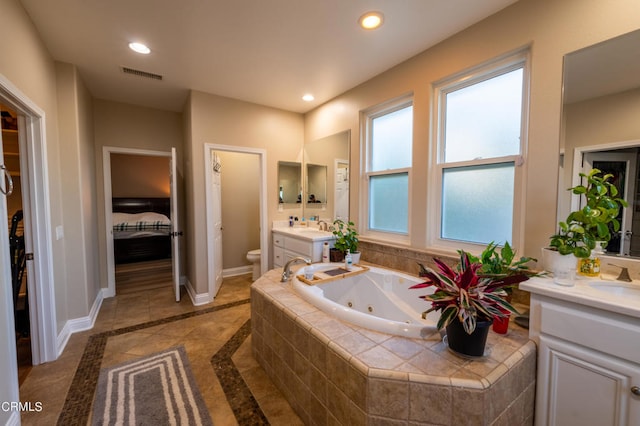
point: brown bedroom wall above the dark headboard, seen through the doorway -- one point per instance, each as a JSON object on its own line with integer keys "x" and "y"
{"x": 139, "y": 176}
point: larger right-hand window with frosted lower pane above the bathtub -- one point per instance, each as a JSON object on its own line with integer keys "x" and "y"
{"x": 481, "y": 129}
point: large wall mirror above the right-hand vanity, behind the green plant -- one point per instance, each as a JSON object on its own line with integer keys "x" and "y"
{"x": 601, "y": 128}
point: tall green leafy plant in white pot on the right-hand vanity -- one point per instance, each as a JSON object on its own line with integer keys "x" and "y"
{"x": 579, "y": 233}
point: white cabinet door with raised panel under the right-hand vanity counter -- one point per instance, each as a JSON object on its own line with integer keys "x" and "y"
{"x": 578, "y": 386}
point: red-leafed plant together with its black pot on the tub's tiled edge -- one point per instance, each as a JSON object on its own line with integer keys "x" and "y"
{"x": 468, "y": 301}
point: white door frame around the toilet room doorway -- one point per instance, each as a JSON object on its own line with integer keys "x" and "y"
{"x": 264, "y": 237}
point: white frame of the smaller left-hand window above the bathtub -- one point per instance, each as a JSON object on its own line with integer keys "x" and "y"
{"x": 365, "y": 160}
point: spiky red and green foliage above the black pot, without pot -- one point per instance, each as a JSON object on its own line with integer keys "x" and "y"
{"x": 464, "y": 293}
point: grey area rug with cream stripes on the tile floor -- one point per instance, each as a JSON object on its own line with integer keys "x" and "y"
{"x": 158, "y": 389}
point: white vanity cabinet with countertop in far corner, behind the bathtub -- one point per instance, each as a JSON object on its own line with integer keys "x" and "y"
{"x": 290, "y": 243}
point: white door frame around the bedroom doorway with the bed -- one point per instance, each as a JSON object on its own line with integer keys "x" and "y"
{"x": 110, "y": 291}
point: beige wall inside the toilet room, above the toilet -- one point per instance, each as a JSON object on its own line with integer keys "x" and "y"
{"x": 240, "y": 185}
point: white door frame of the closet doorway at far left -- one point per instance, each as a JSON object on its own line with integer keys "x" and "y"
{"x": 33, "y": 159}
